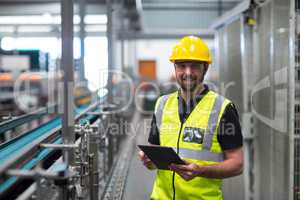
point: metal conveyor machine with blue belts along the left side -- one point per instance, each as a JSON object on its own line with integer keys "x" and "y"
{"x": 32, "y": 166}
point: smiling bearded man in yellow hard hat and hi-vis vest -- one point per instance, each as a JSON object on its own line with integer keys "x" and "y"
{"x": 201, "y": 125}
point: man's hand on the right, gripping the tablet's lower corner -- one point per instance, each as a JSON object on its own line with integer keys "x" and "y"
{"x": 188, "y": 171}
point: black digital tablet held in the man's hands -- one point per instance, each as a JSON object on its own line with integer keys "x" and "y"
{"x": 161, "y": 156}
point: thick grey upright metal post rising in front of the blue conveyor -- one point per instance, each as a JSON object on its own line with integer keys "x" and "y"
{"x": 68, "y": 83}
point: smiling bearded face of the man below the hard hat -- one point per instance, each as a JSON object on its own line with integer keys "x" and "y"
{"x": 190, "y": 74}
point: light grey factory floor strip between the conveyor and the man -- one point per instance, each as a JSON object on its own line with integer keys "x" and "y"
{"x": 140, "y": 180}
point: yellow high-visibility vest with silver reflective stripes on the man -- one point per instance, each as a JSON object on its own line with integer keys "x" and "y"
{"x": 198, "y": 144}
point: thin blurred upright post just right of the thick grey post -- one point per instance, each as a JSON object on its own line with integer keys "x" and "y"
{"x": 82, "y": 34}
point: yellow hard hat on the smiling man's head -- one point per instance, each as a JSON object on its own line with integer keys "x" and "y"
{"x": 191, "y": 48}
